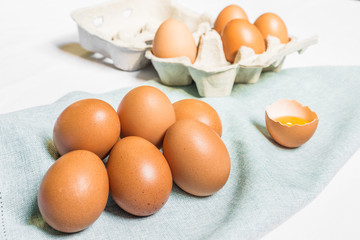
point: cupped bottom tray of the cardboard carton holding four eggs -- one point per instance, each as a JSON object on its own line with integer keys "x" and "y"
{"x": 213, "y": 75}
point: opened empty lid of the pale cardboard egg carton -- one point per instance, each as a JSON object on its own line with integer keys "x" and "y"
{"x": 123, "y": 30}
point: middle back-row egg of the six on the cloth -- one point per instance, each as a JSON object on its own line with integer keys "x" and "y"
{"x": 146, "y": 112}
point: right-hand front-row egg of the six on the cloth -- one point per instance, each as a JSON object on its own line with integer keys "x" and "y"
{"x": 198, "y": 158}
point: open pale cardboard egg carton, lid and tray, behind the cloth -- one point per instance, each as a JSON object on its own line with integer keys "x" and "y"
{"x": 123, "y": 31}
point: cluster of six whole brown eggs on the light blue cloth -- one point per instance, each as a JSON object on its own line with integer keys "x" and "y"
{"x": 75, "y": 189}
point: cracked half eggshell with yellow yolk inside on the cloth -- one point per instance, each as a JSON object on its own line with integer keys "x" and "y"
{"x": 289, "y": 123}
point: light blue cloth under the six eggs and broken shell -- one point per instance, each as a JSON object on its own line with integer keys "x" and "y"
{"x": 267, "y": 183}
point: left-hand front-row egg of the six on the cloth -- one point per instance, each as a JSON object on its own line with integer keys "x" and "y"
{"x": 74, "y": 191}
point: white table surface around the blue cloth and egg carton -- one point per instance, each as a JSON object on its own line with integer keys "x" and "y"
{"x": 41, "y": 60}
